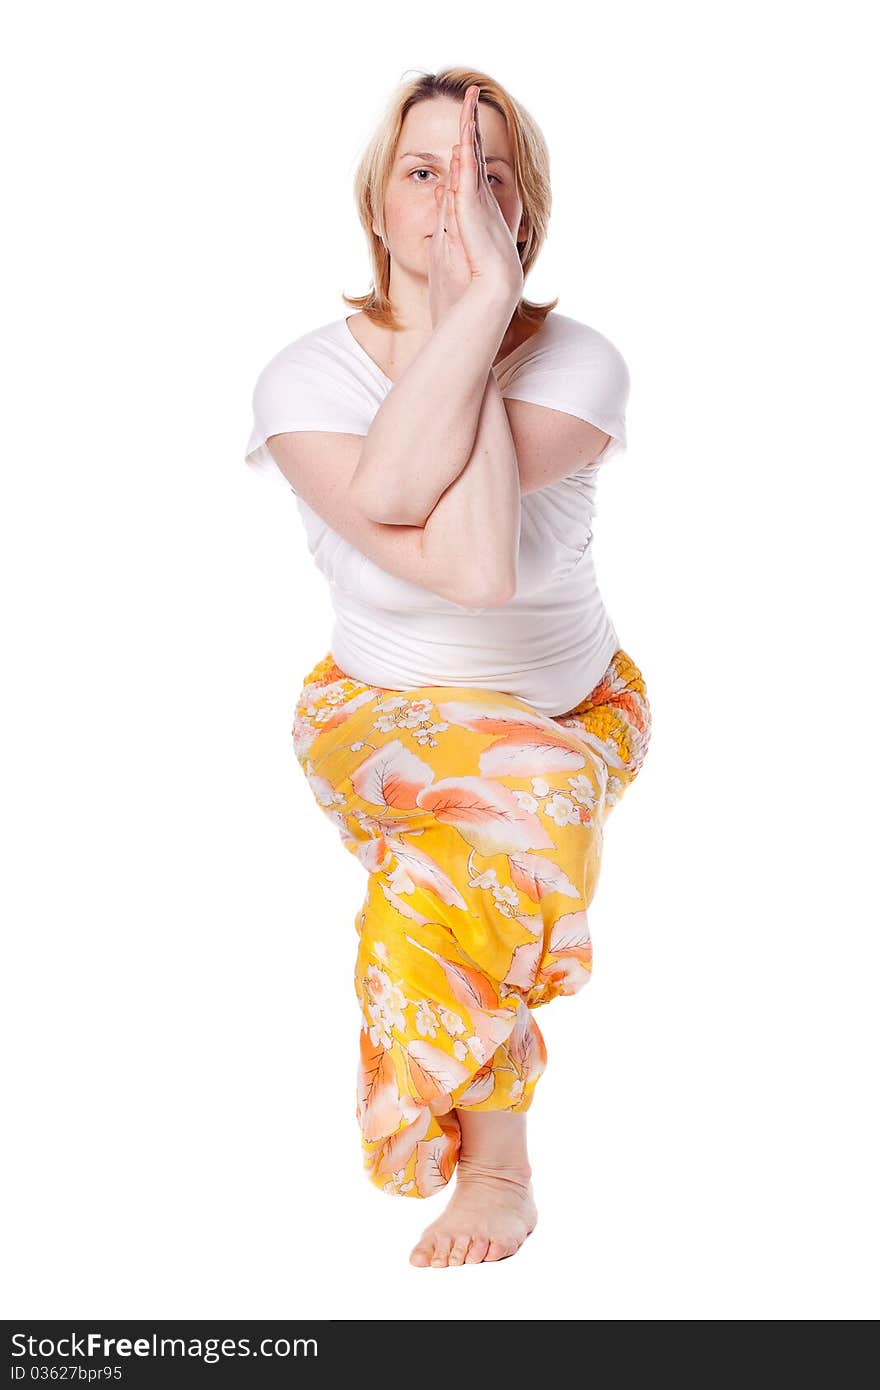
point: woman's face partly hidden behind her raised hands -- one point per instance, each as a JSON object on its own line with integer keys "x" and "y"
{"x": 411, "y": 201}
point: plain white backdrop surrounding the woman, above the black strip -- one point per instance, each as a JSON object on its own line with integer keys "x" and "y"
{"x": 180, "y": 1020}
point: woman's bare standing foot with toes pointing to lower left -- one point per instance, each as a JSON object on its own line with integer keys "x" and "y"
{"x": 489, "y": 1217}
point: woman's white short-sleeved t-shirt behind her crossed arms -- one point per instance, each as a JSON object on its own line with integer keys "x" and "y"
{"x": 553, "y": 641}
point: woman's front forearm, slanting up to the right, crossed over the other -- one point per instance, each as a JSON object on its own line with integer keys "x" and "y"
{"x": 423, "y": 434}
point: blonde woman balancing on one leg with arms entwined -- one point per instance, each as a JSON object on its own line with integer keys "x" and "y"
{"x": 476, "y": 718}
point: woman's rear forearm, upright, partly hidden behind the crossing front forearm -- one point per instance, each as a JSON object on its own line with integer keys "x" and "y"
{"x": 475, "y": 529}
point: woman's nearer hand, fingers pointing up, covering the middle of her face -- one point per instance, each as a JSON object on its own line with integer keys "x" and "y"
{"x": 480, "y": 226}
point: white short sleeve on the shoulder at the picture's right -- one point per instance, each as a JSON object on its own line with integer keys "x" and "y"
{"x": 580, "y": 372}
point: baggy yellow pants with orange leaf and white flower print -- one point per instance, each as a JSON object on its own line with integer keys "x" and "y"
{"x": 480, "y": 826}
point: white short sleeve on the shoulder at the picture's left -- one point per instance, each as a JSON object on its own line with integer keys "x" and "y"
{"x": 301, "y": 389}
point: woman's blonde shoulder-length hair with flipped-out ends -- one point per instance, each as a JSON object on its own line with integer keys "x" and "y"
{"x": 532, "y": 173}
